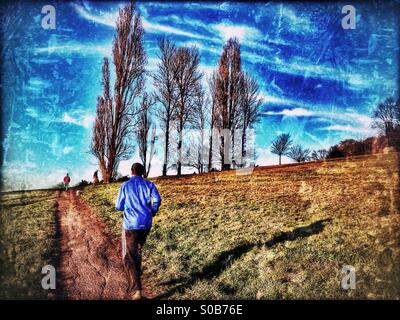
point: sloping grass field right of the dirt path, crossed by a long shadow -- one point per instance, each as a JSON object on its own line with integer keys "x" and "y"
{"x": 280, "y": 233}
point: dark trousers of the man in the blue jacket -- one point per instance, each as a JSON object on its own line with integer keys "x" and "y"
{"x": 132, "y": 243}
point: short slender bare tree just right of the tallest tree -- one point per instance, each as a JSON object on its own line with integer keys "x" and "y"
{"x": 146, "y": 143}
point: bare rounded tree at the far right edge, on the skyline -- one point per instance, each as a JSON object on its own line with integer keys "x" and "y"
{"x": 386, "y": 116}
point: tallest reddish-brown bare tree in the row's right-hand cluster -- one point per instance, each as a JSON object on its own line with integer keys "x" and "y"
{"x": 228, "y": 83}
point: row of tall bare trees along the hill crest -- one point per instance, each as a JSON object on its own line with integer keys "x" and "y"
{"x": 179, "y": 102}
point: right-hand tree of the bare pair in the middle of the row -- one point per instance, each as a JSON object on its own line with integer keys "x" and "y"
{"x": 188, "y": 82}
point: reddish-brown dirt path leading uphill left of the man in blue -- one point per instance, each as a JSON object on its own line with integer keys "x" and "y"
{"x": 90, "y": 265}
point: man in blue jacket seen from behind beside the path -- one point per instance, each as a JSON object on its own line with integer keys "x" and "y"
{"x": 140, "y": 200}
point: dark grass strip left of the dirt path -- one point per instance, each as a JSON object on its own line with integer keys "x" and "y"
{"x": 27, "y": 235}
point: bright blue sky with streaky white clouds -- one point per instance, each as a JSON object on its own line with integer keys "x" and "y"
{"x": 318, "y": 81}
